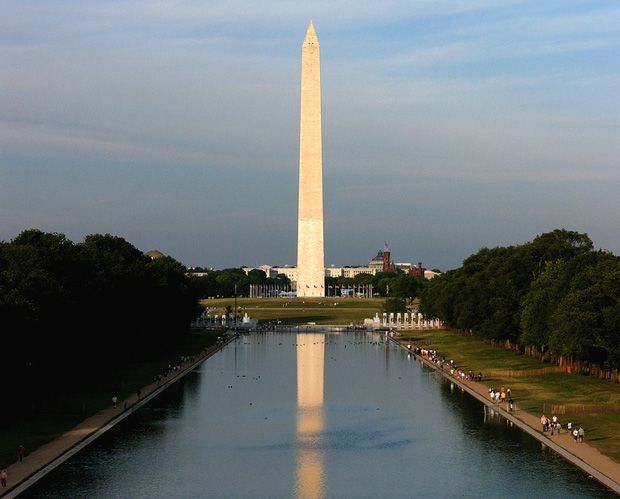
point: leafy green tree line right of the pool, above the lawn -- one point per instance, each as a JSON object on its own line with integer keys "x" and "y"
{"x": 555, "y": 295}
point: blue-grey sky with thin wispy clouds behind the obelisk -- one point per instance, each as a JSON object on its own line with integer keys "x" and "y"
{"x": 448, "y": 126}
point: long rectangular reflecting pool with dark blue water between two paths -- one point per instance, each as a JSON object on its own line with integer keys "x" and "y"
{"x": 313, "y": 415}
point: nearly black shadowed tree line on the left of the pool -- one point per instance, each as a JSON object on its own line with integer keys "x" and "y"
{"x": 72, "y": 313}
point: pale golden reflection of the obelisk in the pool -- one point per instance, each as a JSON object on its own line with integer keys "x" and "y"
{"x": 310, "y": 417}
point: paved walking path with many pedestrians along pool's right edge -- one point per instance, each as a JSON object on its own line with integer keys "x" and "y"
{"x": 586, "y": 457}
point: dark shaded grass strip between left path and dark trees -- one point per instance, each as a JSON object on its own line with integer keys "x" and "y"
{"x": 72, "y": 408}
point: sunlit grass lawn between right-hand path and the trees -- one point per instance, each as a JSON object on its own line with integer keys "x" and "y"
{"x": 533, "y": 394}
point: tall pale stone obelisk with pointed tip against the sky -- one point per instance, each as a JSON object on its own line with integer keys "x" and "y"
{"x": 310, "y": 258}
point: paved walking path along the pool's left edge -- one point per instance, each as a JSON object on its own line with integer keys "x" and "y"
{"x": 41, "y": 461}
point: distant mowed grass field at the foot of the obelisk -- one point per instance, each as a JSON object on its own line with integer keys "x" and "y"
{"x": 341, "y": 311}
